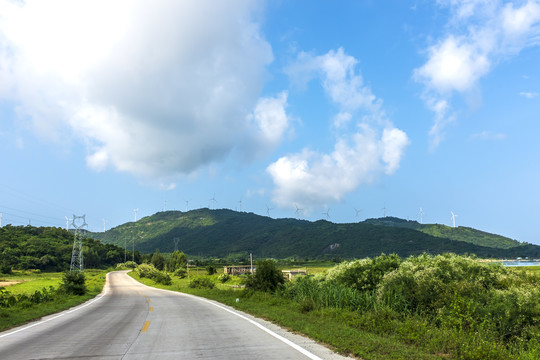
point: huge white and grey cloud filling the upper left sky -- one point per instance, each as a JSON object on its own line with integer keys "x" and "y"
{"x": 155, "y": 89}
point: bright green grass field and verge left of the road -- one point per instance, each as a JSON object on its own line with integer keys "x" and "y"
{"x": 15, "y": 316}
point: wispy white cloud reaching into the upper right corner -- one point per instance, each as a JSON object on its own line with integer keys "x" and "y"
{"x": 481, "y": 34}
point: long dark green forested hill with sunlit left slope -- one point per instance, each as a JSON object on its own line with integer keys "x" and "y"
{"x": 223, "y": 233}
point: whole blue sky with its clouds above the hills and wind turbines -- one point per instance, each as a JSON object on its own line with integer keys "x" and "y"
{"x": 329, "y": 107}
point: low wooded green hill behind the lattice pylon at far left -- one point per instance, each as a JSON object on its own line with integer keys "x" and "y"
{"x": 49, "y": 249}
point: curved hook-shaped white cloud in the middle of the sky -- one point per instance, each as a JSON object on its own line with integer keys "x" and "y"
{"x": 367, "y": 144}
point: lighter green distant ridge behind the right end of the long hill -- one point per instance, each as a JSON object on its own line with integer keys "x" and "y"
{"x": 459, "y": 233}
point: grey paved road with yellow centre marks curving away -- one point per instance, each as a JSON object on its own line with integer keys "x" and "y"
{"x": 133, "y": 321}
